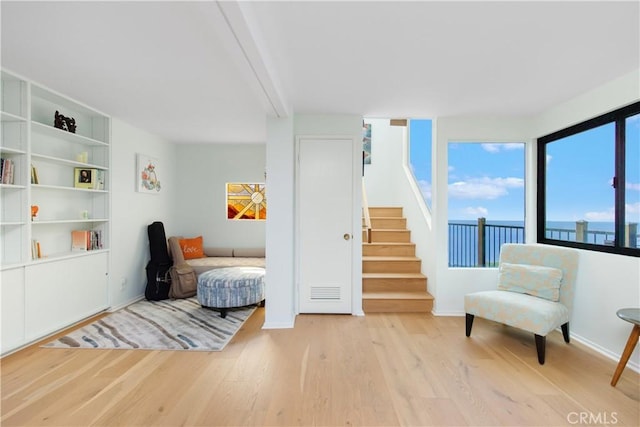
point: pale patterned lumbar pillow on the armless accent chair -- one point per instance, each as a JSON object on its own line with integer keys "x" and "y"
{"x": 535, "y": 280}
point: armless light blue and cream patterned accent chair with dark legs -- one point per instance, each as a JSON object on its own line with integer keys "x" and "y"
{"x": 534, "y": 293}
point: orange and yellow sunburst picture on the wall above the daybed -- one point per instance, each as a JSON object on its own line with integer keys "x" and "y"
{"x": 246, "y": 201}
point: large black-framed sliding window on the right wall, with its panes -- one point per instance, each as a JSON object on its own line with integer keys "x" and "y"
{"x": 589, "y": 184}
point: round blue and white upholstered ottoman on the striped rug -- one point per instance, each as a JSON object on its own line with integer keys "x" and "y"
{"x": 228, "y": 287}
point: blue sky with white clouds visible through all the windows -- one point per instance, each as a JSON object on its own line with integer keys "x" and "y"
{"x": 487, "y": 180}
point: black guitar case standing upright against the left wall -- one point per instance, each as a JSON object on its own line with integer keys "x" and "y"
{"x": 158, "y": 277}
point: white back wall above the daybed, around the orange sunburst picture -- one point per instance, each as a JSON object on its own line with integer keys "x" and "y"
{"x": 200, "y": 205}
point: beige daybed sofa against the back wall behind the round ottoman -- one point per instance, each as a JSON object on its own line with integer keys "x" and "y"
{"x": 207, "y": 258}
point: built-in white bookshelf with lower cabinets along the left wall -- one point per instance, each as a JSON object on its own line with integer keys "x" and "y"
{"x": 46, "y": 165}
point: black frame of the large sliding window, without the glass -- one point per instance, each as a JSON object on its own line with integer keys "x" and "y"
{"x": 618, "y": 117}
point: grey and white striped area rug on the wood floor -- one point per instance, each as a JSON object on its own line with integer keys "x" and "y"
{"x": 159, "y": 325}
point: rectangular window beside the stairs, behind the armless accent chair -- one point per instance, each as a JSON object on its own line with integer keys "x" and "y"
{"x": 486, "y": 201}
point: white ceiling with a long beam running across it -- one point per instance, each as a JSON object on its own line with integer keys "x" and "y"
{"x": 212, "y": 71}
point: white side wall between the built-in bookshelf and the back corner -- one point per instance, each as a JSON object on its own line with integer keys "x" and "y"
{"x": 131, "y": 211}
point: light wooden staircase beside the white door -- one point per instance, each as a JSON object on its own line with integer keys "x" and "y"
{"x": 392, "y": 281}
